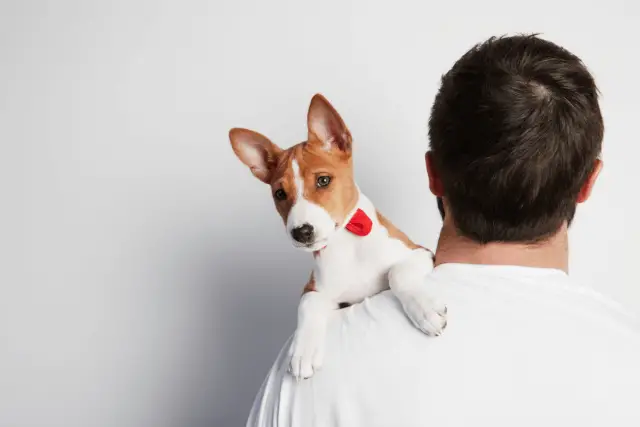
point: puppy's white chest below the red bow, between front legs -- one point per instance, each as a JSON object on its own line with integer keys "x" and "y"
{"x": 354, "y": 267}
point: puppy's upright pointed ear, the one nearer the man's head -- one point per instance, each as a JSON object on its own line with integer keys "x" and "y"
{"x": 326, "y": 126}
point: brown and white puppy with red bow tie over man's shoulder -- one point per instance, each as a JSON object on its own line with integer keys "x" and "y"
{"x": 357, "y": 251}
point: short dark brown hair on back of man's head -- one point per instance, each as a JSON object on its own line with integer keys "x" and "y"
{"x": 515, "y": 132}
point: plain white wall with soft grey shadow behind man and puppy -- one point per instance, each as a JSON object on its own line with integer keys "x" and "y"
{"x": 146, "y": 277}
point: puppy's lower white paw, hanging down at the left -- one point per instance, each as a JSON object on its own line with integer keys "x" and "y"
{"x": 308, "y": 352}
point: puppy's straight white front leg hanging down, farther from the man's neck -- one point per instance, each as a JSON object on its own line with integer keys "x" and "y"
{"x": 308, "y": 343}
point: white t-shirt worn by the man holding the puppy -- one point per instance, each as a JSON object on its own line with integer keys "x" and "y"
{"x": 523, "y": 347}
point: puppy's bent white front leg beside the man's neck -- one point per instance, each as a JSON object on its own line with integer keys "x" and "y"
{"x": 406, "y": 280}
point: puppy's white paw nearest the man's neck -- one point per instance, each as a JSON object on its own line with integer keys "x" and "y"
{"x": 426, "y": 314}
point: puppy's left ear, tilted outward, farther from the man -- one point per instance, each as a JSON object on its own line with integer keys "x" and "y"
{"x": 256, "y": 151}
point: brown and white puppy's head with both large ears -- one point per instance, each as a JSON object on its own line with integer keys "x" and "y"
{"x": 311, "y": 182}
